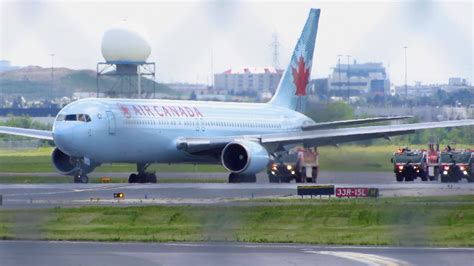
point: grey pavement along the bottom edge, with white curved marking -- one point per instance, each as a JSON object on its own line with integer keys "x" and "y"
{"x": 13, "y": 253}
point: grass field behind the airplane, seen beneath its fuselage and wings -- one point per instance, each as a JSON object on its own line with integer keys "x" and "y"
{"x": 344, "y": 158}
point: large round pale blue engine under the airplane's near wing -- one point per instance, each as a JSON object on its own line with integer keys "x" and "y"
{"x": 244, "y": 157}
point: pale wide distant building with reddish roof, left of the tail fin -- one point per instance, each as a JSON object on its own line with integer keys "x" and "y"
{"x": 248, "y": 79}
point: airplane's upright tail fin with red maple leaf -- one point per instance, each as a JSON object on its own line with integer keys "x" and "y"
{"x": 291, "y": 92}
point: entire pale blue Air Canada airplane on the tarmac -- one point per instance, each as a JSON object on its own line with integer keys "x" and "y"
{"x": 240, "y": 136}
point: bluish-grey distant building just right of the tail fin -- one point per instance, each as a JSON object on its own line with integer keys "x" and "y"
{"x": 368, "y": 79}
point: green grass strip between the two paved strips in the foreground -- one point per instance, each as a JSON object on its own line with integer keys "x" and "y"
{"x": 443, "y": 221}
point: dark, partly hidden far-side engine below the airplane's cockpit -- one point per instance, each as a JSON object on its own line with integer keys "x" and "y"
{"x": 68, "y": 165}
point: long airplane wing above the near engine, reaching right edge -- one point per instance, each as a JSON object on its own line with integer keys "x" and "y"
{"x": 311, "y": 138}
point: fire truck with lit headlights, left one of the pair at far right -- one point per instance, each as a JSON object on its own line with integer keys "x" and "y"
{"x": 408, "y": 165}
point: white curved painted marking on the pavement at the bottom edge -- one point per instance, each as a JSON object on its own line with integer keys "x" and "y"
{"x": 368, "y": 259}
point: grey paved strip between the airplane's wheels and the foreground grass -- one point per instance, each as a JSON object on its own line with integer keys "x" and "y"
{"x": 51, "y": 195}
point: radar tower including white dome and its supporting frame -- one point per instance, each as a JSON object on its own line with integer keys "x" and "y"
{"x": 125, "y": 48}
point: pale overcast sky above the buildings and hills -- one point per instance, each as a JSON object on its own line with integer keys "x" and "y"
{"x": 192, "y": 39}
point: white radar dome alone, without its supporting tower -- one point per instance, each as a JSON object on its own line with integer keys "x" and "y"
{"x": 125, "y": 42}
